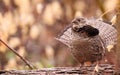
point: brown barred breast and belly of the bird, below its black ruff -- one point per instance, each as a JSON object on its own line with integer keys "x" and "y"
{"x": 87, "y": 50}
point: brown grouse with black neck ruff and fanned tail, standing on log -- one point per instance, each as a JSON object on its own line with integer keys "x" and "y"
{"x": 88, "y": 38}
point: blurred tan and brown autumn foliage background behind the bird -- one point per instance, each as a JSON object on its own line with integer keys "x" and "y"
{"x": 30, "y": 26}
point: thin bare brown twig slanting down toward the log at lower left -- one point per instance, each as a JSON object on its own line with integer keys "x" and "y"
{"x": 14, "y": 51}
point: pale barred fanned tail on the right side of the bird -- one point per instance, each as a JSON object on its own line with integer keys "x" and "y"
{"x": 108, "y": 32}
